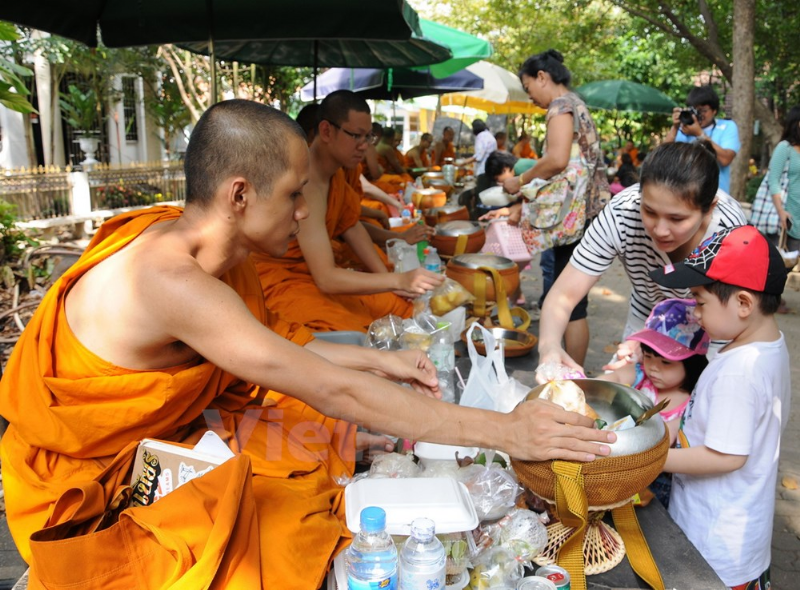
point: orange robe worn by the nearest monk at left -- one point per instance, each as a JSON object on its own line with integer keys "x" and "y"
{"x": 71, "y": 413}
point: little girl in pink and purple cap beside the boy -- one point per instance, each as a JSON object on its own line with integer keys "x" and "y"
{"x": 674, "y": 347}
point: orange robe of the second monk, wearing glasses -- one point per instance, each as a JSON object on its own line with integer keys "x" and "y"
{"x": 291, "y": 292}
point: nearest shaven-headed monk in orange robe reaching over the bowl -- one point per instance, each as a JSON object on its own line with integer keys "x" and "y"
{"x": 160, "y": 330}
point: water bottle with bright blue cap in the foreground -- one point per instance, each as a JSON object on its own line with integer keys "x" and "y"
{"x": 372, "y": 557}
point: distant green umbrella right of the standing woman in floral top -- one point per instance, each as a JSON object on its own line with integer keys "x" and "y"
{"x": 622, "y": 95}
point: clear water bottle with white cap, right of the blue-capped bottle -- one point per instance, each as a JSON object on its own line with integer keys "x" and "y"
{"x": 422, "y": 559}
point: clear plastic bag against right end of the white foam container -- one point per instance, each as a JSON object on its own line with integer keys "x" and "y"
{"x": 493, "y": 490}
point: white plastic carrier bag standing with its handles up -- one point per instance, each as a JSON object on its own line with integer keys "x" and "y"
{"x": 489, "y": 387}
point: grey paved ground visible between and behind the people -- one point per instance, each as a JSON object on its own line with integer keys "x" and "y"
{"x": 607, "y": 309}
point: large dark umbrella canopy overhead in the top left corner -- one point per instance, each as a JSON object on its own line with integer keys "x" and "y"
{"x": 125, "y": 23}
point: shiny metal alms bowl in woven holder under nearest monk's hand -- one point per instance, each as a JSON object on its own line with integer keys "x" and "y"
{"x": 612, "y": 402}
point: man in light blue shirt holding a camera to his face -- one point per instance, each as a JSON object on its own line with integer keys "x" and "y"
{"x": 699, "y": 121}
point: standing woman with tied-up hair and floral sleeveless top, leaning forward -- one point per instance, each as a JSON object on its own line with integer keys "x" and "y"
{"x": 546, "y": 80}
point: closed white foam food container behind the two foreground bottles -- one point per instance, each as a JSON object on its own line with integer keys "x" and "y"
{"x": 442, "y": 499}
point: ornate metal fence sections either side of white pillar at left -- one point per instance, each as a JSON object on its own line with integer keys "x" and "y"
{"x": 45, "y": 192}
